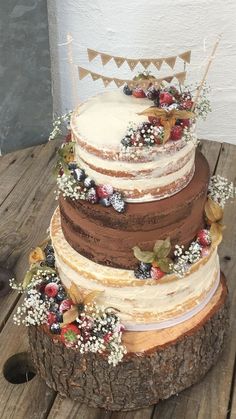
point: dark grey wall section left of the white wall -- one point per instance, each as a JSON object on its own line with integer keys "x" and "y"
{"x": 25, "y": 75}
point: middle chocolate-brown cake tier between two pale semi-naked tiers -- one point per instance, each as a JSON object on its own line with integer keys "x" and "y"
{"x": 107, "y": 237}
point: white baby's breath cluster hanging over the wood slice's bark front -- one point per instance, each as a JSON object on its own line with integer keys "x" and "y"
{"x": 101, "y": 331}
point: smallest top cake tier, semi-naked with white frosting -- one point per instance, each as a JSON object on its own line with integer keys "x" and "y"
{"x": 141, "y": 174}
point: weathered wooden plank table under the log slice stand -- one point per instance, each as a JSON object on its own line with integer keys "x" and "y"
{"x": 26, "y": 204}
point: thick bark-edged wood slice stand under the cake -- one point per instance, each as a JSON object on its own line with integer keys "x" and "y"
{"x": 158, "y": 364}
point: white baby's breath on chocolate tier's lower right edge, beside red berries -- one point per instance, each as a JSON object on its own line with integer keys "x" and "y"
{"x": 185, "y": 258}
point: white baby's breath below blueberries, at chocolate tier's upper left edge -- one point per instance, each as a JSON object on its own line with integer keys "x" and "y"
{"x": 69, "y": 187}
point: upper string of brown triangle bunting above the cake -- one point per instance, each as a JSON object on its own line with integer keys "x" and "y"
{"x": 133, "y": 62}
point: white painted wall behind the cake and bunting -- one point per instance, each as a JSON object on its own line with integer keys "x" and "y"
{"x": 153, "y": 28}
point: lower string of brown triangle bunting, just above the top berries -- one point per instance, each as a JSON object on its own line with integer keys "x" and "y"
{"x": 83, "y": 72}
